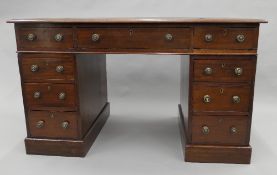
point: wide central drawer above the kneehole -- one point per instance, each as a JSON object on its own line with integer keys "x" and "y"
{"x": 139, "y": 38}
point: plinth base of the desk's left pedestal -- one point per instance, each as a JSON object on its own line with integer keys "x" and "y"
{"x": 73, "y": 148}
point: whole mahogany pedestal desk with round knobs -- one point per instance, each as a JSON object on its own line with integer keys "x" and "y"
{"x": 62, "y": 65}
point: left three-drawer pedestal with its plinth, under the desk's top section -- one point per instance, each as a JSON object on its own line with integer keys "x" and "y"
{"x": 65, "y": 101}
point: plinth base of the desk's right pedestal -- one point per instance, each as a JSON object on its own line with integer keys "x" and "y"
{"x": 212, "y": 153}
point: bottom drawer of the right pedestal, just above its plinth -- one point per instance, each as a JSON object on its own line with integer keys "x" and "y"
{"x": 220, "y": 130}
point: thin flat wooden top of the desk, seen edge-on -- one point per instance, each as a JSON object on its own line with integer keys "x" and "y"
{"x": 137, "y": 20}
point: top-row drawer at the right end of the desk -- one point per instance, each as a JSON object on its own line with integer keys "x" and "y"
{"x": 206, "y": 37}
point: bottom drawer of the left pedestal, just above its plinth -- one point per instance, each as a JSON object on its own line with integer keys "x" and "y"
{"x": 48, "y": 124}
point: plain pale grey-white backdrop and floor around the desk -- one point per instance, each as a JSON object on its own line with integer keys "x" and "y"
{"x": 141, "y": 135}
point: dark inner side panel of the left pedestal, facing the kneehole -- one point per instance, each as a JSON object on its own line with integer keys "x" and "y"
{"x": 92, "y": 87}
